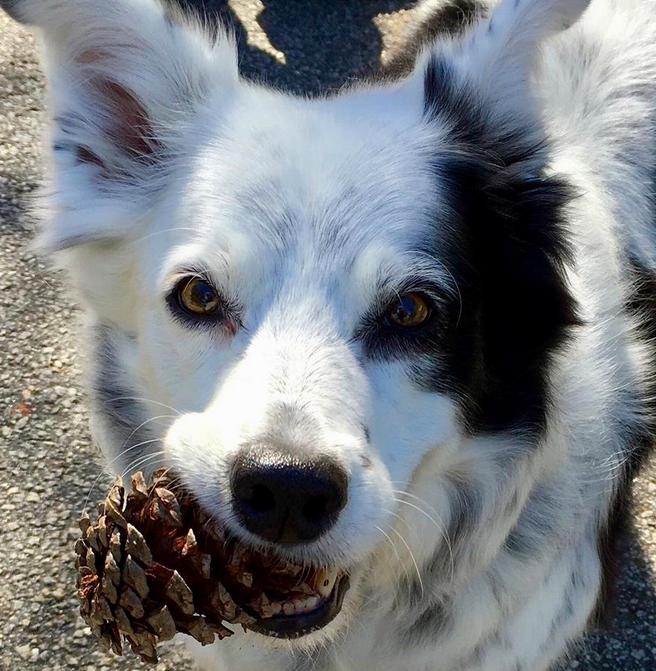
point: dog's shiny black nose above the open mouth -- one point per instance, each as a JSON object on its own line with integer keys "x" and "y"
{"x": 284, "y": 498}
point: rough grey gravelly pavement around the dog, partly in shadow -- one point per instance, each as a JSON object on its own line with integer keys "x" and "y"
{"x": 48, "y": 466}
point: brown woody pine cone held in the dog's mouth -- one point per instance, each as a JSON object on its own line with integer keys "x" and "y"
{"x": 153, "y": 564}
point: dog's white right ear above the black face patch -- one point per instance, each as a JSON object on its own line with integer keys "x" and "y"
{"x": 496, "y": 56}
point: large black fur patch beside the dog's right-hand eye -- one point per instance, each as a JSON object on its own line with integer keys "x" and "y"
{"x": 507, "y": 256}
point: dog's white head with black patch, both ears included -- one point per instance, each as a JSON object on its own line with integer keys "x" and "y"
{"x": 315, "y": 305}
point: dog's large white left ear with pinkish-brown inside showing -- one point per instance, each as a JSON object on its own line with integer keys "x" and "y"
{"x": 126, "y": 78}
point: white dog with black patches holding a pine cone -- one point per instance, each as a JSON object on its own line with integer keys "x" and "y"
{"x": 402, "y": 335}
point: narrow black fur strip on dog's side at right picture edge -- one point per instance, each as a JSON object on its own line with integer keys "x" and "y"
{"x": 613, "y": 536}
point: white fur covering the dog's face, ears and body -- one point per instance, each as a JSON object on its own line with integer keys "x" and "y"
{"x": 351, "y": 176}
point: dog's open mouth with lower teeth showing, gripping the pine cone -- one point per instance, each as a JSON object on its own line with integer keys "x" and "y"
{"x": 287, "y": 600}
